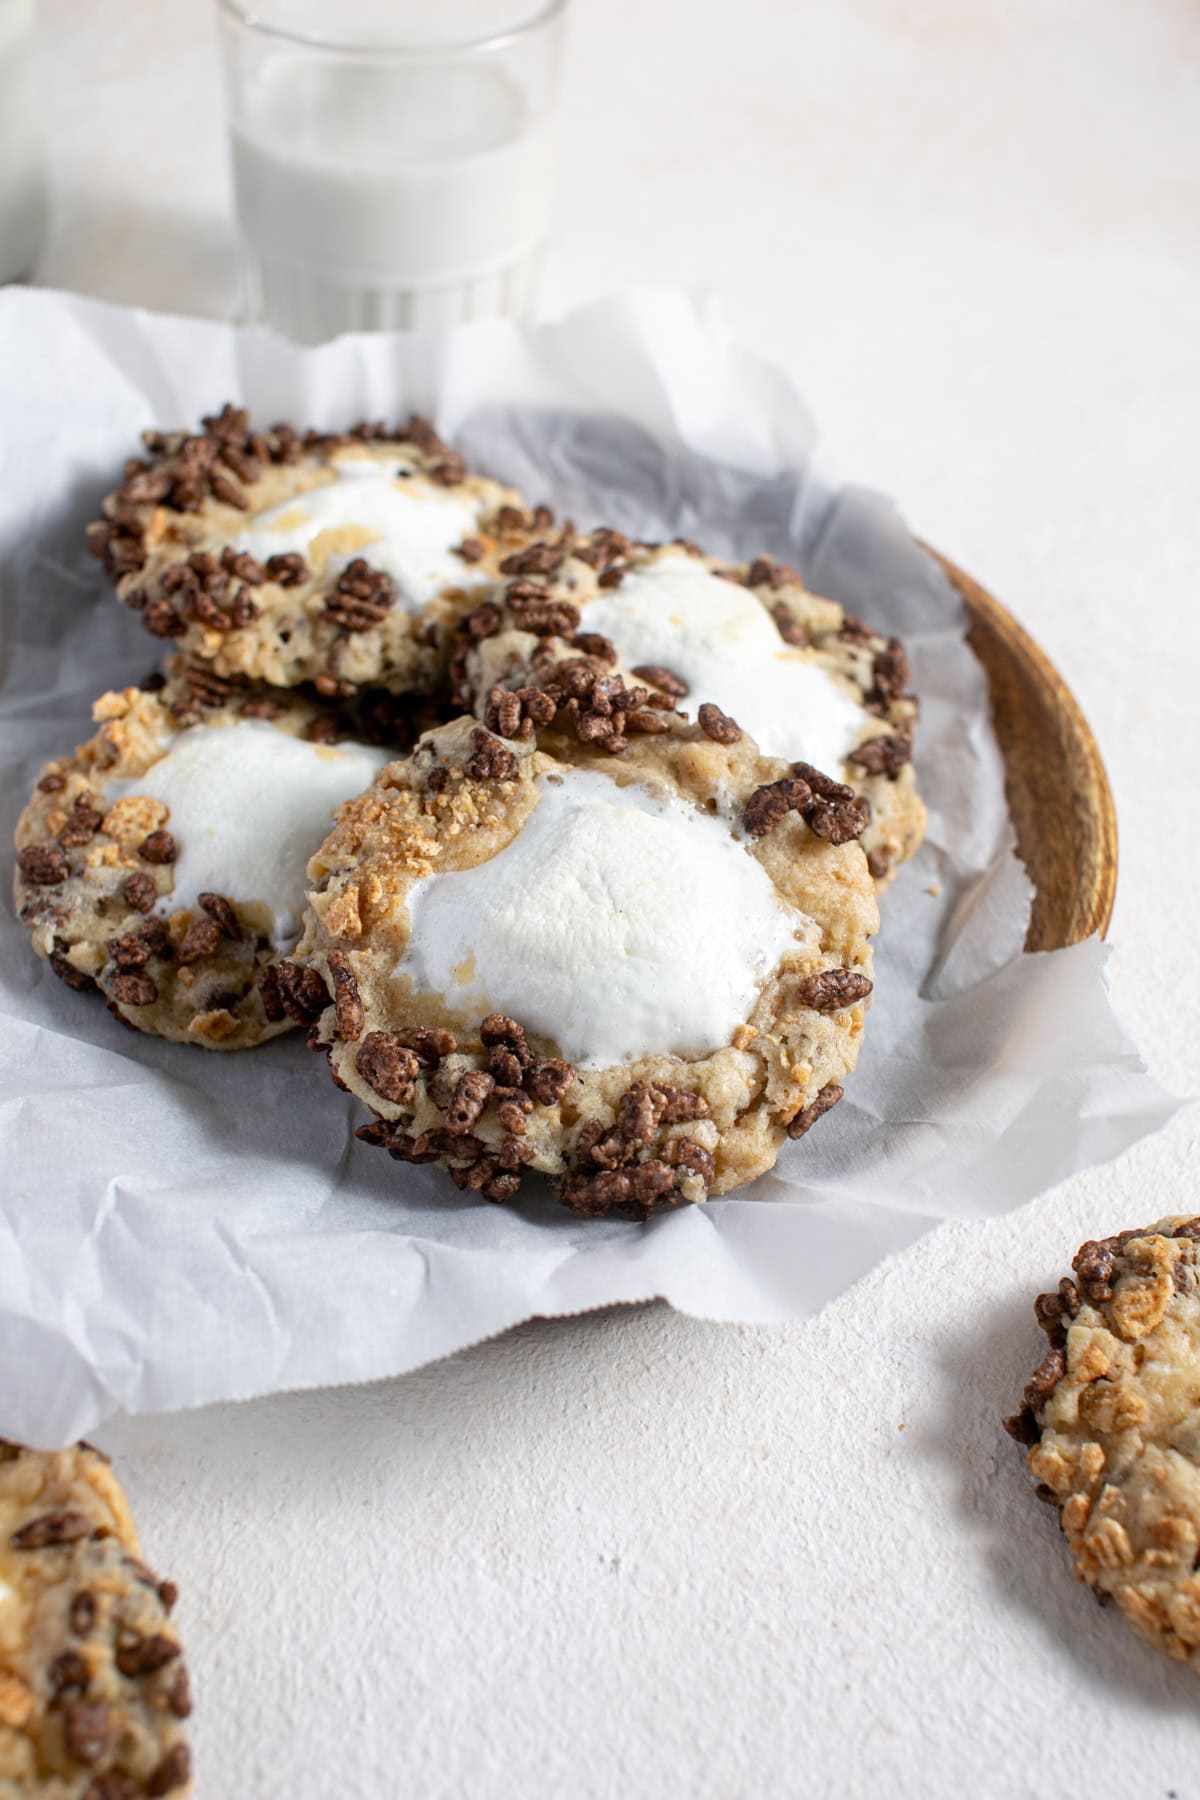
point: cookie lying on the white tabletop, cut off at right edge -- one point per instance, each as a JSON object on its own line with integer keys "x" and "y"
{"x": 1111, "y": 1417}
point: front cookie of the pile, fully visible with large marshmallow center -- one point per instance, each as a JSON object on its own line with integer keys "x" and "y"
{"x": 638, "y": 975}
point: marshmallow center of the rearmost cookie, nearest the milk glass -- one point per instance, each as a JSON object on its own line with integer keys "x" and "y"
{"x": 402, "y": 525}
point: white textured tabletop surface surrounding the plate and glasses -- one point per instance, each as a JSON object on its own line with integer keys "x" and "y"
{"x": 634, "y": 1554}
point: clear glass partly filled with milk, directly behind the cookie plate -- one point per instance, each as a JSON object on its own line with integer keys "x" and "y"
{"x": 393, "y": 159}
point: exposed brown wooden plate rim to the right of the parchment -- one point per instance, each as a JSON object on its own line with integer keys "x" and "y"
{"x": 1057, "y": 786}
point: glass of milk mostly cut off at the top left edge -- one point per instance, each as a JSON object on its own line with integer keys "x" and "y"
{"x": 22, "y": 143}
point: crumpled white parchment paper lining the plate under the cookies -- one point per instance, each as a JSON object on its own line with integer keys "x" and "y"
{"x": 181, "y": 1227}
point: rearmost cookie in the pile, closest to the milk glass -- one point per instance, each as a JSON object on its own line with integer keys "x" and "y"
{"x": 337, "y": 559}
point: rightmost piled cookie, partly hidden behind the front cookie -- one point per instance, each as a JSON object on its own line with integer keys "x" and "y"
{"x": 744, "y": 643}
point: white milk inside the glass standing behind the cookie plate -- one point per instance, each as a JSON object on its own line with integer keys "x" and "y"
{"x": 382, "y": 195}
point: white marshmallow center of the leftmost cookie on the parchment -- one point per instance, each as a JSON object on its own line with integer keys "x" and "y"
{"x": 247, "y": 807}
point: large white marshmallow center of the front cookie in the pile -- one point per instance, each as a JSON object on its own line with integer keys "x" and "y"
{"x": 618, "y": 924}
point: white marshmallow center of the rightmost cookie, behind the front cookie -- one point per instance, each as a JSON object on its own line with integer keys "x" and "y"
{"x": 722, "y": 642}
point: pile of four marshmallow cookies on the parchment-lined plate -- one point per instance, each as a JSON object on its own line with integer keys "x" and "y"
{"x": 593, "y": 829}
